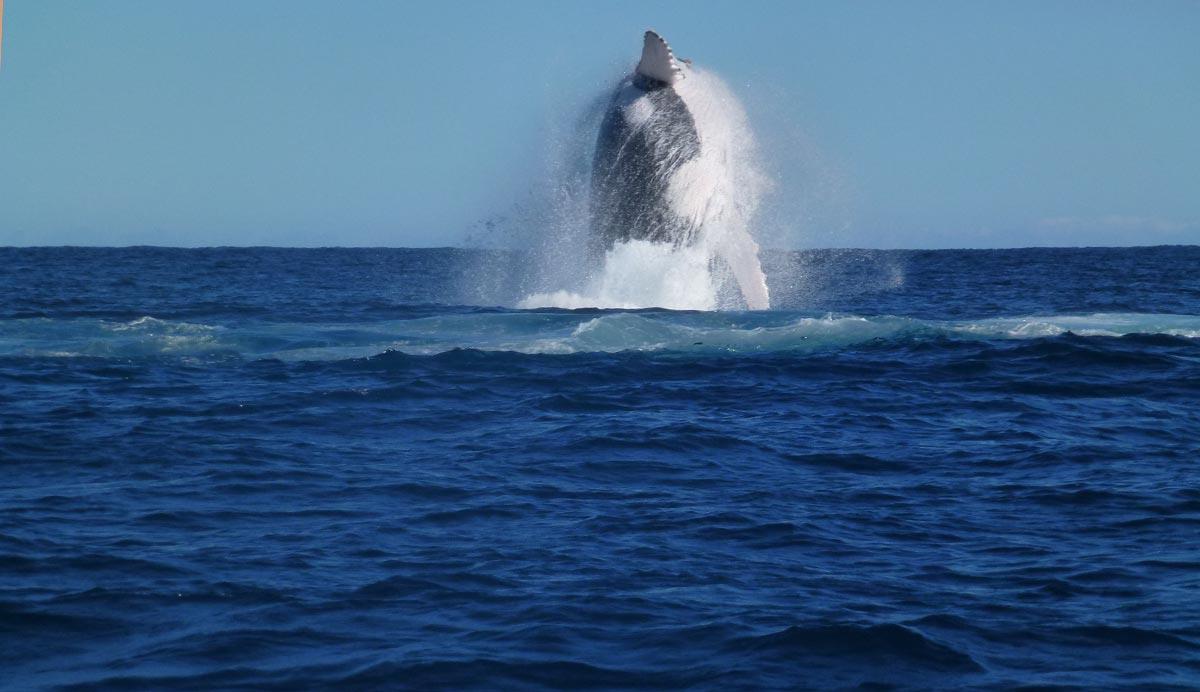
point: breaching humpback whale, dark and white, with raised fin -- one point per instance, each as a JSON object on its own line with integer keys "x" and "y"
{"x": 659, "y": 177}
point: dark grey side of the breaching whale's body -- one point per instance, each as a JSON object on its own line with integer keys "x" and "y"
{"x": 633, "y": 169}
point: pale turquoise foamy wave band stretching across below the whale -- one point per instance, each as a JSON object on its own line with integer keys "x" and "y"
{"x": 551, "y": 333}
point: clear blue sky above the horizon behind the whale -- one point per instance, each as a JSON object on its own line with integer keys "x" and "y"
{"x": 401, "y": 124}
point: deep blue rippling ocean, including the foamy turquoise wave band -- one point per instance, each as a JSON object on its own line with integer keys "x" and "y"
{"x": 283, "y": 468}
